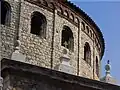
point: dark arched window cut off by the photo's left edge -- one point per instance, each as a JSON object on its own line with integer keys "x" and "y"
{"x": 5, "y": 13}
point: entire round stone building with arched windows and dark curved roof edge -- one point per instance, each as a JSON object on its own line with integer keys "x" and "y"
{"x": 45, "y": 28}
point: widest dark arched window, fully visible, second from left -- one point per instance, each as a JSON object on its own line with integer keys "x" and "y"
{"x": 38, "y": 24}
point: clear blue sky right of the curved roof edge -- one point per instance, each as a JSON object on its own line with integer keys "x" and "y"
{"x": 106, "y": 14}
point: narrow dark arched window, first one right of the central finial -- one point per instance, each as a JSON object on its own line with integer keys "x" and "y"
{"x": 87, "y": 53}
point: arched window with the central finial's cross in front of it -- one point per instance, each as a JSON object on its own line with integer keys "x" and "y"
{"x": 67, "y": 38}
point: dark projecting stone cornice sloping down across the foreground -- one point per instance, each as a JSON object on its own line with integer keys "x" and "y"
{"x": 31, "y": 70}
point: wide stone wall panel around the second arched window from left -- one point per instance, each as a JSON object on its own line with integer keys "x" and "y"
{"x": 36, "y": 49}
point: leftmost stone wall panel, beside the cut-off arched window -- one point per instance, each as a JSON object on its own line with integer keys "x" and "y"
{"x": 8, "y": 33}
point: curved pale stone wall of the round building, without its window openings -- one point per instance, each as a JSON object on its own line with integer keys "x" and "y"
{"x": 38, "y": 50}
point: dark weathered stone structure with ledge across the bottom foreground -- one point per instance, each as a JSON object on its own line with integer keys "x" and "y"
{"x": 21, "y": 76}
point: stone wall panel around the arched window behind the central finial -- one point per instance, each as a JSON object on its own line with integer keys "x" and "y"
{"x": 58, "y": 49}
